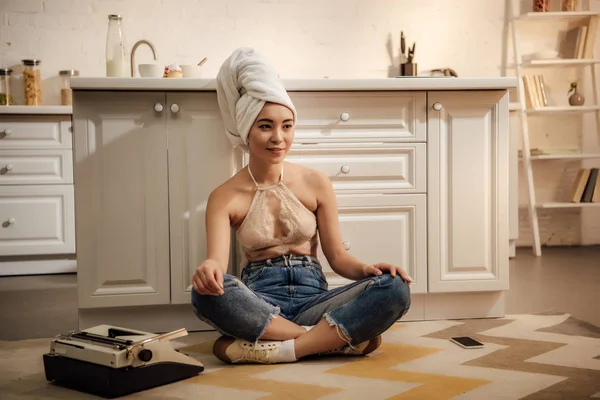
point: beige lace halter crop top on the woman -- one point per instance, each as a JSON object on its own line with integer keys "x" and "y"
{"x": 277, "y": 223}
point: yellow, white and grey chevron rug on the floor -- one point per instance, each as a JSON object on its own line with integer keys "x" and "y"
{"x": 524, "y": 357}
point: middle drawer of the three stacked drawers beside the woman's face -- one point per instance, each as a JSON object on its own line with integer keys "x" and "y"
{"x": 399, "y": 168}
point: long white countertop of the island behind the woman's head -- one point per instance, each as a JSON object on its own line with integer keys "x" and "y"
{"x": 408, "y": 83}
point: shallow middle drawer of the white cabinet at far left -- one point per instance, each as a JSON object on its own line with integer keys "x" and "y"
{"x": 36, "y": 167}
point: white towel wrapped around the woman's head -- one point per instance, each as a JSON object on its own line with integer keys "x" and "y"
{"x": 245, "y": 82}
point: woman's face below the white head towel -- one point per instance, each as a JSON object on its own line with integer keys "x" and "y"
{"x": 272, "y": 134}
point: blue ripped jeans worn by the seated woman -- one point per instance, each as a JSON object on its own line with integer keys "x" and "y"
{"x": 295, "y": 287}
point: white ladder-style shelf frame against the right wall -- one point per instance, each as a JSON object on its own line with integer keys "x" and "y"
{"x": 578, "y": 17}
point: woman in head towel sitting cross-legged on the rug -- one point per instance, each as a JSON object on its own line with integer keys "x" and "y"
{"x": 281, "y": 310}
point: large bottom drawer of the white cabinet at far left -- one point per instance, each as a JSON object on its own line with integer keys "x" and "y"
{"x": 37, "y": 220}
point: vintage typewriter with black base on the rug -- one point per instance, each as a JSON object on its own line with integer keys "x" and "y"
{"x": 111, "y": 361}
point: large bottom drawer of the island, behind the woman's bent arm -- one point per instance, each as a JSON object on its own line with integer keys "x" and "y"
{"x": 384, "y": 228}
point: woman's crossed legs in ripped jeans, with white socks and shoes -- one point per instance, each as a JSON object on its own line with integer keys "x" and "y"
{"x": 280, "y": 304}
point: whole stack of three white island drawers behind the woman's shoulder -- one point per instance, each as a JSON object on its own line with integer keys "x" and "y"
{"x": 372, "y": 146}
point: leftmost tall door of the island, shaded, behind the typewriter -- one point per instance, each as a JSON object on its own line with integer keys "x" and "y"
{"x": 121, "y": 199}
